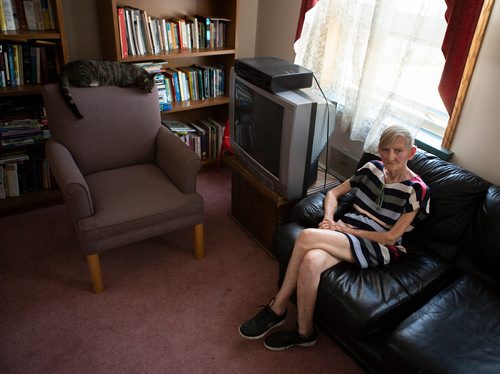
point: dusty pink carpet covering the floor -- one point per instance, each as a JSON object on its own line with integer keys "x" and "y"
{"x": 162, "y": 311}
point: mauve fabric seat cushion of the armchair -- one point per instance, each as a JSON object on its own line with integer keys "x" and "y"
{"x": 119, "y": 210}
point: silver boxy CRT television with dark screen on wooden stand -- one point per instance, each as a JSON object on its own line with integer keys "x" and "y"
{"x": 279, "y": 136}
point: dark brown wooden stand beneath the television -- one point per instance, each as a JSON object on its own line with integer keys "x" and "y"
{"x": 258, "y": 209}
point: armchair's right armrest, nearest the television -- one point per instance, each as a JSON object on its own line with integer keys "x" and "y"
{"x": 179, "y": 162}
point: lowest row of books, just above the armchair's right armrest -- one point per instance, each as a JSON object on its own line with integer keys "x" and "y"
{"x": 204, "y": 136}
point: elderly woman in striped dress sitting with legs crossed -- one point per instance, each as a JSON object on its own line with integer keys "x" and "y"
{"x": 389, "y": 199}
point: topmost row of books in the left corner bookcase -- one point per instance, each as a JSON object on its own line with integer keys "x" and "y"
{"x": 32, "y": 15}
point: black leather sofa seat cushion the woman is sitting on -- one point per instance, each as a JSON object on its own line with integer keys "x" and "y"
{"x": 363, "y": 302}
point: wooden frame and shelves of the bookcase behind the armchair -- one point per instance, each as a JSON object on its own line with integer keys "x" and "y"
{"x": 186, "y": 111}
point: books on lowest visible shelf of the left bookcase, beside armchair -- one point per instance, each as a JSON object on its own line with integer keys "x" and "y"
{"x": 23, "y": 172}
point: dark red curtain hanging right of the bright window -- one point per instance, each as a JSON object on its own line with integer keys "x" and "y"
{"x": 462, "y": 17}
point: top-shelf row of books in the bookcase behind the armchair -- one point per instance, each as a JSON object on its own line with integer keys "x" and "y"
{"x": 143, "y": 34}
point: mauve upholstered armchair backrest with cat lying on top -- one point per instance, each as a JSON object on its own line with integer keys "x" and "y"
{"x": 119, "y": 127}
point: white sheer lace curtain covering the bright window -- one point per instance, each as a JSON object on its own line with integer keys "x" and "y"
{"x": 380, "y": 60}
